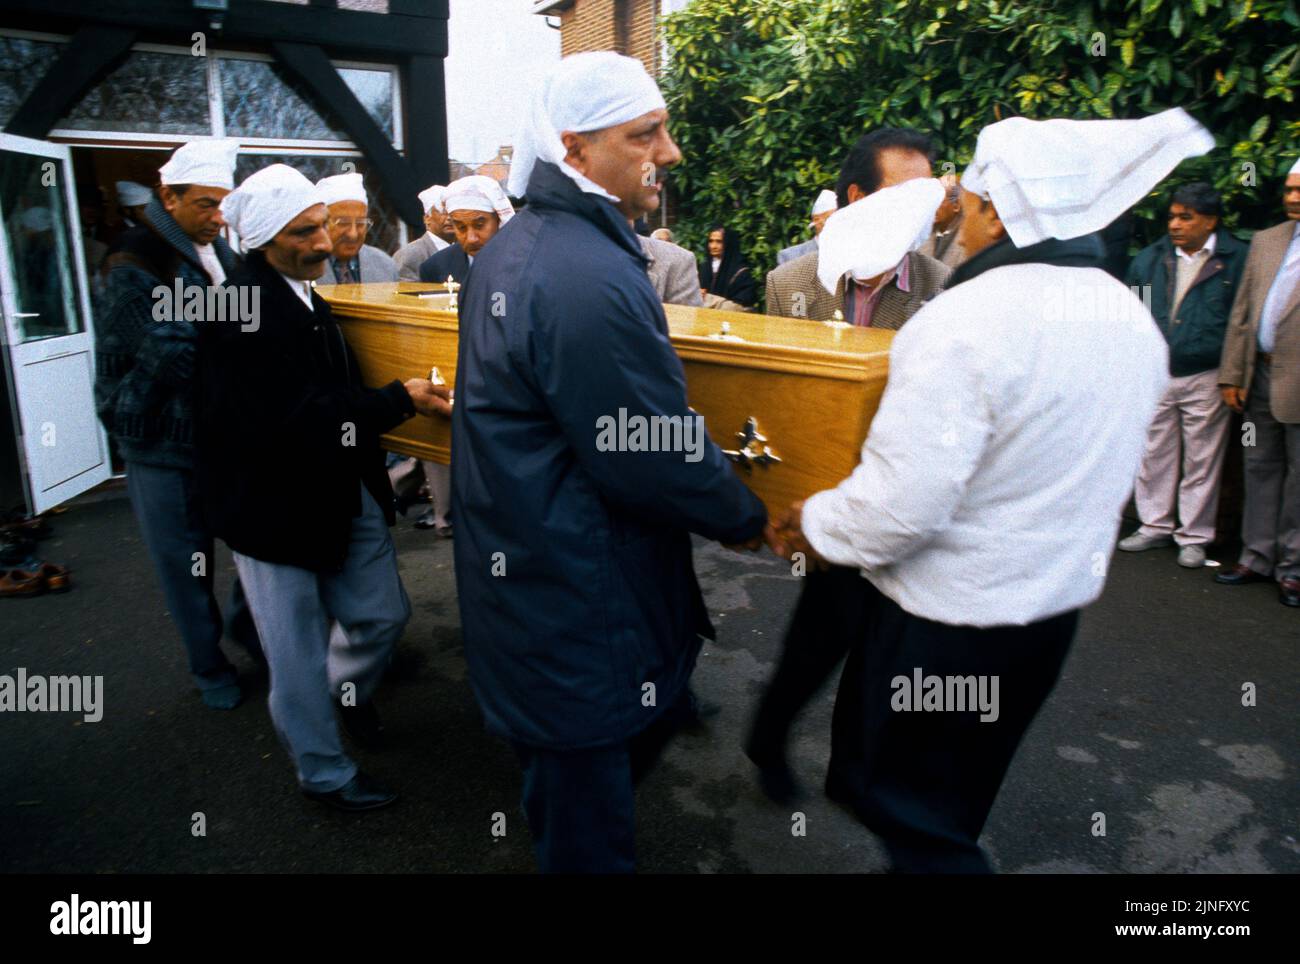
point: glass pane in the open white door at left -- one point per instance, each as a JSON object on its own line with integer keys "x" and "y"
{"x": 36, "y": 223}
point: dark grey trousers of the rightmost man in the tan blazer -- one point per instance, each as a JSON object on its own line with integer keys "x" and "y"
{"x": 1271, "y": 522}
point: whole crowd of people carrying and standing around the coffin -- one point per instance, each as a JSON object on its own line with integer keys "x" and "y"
{"x": 967, "y": 541}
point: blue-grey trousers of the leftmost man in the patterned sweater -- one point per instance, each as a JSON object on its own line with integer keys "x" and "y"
{"x": 174, "y": 535}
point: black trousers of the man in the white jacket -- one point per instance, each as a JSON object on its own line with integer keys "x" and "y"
{"x": 926, "y": 781}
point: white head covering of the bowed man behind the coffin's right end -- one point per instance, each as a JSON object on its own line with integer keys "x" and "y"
{"x": 873, "y": 235}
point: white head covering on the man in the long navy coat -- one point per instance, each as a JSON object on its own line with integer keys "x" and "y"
{"x": 583, "y": 93}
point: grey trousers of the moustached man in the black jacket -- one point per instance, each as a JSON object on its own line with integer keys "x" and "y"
{"x": 323, "y": 632}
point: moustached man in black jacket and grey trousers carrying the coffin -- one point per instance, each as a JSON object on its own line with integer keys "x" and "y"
{"x": 281, "y": 401}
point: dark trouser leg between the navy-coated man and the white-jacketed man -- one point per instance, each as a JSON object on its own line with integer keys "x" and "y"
{"x": 829, "y": 619}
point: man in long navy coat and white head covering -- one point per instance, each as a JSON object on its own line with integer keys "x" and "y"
{"x": 579, "y": 602}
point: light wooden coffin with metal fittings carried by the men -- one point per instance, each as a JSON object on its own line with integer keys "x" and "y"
{"x": 790, "y": 401}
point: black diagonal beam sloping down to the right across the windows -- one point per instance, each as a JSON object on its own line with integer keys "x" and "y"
{"x": 311, "y": 67}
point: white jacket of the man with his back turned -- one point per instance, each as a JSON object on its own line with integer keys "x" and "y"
{"x": 1006, "y": 449}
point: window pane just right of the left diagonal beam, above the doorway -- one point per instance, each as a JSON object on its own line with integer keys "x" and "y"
{"x": 150, "y": 93}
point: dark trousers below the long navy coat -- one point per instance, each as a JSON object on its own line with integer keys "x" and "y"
{"x": 582, "y": 804}
